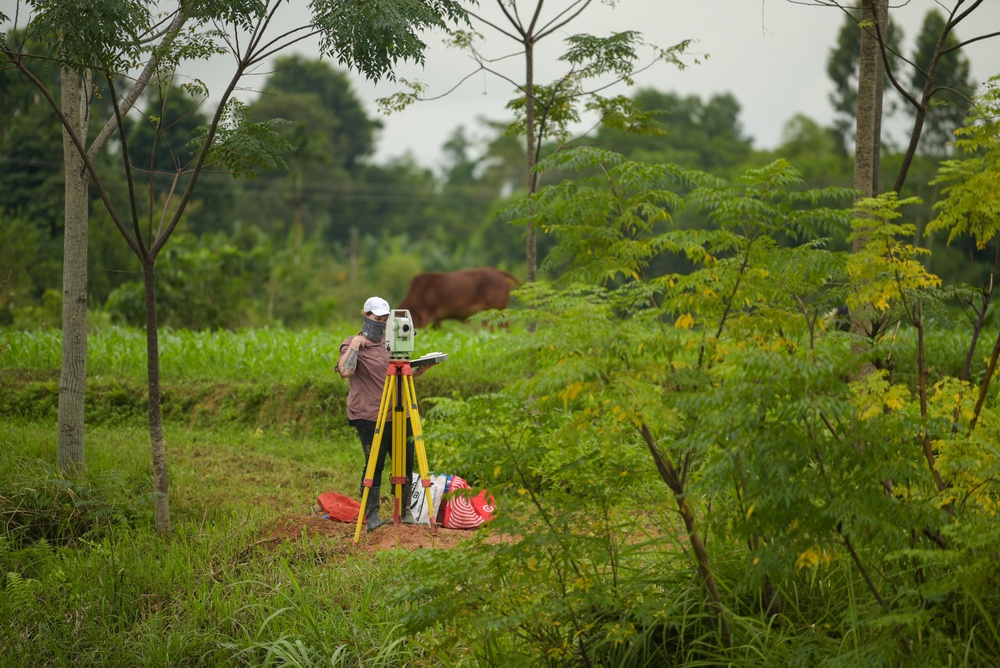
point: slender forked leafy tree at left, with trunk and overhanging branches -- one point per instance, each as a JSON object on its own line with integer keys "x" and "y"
{"x": 110, "y": 39}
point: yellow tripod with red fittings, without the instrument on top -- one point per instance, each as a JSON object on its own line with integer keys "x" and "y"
{"x": 397, "y": 394}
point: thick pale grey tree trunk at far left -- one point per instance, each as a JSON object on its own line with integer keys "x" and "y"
{"x": 73, "y": 376}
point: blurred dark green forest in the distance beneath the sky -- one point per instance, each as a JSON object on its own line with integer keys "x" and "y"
{"x": 297, "y": 244}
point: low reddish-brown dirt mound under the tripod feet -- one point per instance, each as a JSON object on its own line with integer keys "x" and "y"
{"x": 387, "y": 537}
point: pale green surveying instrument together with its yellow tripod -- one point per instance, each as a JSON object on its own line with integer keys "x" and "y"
{"x": 399, "y": 398}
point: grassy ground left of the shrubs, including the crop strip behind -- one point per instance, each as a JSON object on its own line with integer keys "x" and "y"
{"x": 255, "y": 431}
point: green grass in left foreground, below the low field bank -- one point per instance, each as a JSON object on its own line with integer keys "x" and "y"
{"x": 216, "y": 592}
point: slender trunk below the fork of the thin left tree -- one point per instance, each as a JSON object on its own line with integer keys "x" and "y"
{"x": 158, "y": 448}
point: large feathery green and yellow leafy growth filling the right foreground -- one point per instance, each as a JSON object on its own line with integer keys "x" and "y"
{"x": 728, "y": 386}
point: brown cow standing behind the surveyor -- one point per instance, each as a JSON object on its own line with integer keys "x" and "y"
{"x": 456, "y": 295}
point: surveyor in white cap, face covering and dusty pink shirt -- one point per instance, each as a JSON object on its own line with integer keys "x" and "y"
{"x": 364, "y": 360}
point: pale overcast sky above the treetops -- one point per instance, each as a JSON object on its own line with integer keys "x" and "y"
{"x": 770, "y": 54}
